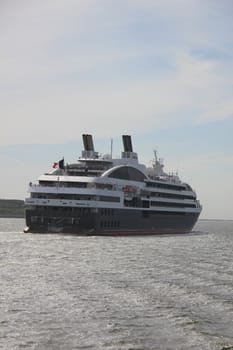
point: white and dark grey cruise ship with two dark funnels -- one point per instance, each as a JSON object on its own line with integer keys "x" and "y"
{"x": 100, "y": 195}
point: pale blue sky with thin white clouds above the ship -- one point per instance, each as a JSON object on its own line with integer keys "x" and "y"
{"x": 160, "y": 70}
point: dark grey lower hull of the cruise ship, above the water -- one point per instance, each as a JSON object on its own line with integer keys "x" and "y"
{"x": 119, "y": 222}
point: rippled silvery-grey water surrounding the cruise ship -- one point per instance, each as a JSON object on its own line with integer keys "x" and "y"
{"x": 118, "y": 293}
